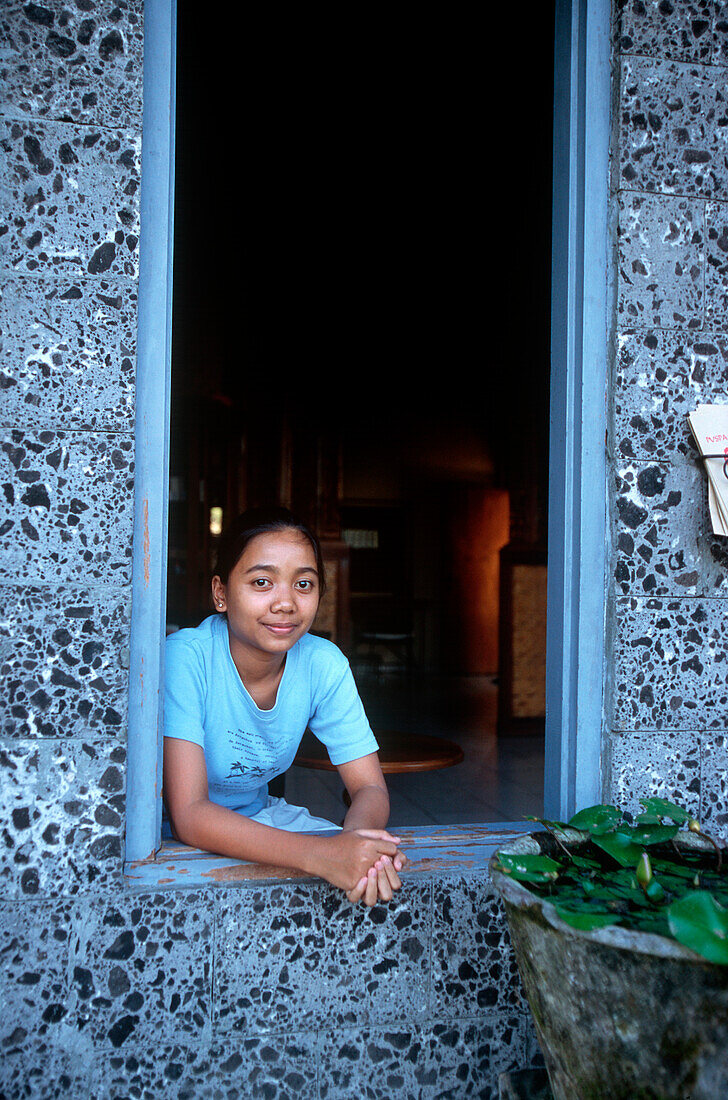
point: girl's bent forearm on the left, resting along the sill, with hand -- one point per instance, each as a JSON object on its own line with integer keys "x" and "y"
{"x": 344, "y": 860}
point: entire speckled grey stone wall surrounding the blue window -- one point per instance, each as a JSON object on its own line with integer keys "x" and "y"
{"x": 283, "y": 989}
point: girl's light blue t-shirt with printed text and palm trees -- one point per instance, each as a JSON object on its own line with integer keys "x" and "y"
{"x": 206, "y": 702}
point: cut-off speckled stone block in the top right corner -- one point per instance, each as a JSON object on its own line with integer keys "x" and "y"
{"x": 685, "y": 32}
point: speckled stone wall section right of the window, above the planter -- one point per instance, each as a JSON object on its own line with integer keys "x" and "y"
{"x": 669, "y": 579}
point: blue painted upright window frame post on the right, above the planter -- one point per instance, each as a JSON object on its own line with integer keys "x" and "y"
{"x": 582, "y": 321}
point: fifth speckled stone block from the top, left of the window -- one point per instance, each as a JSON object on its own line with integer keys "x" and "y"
{"x": 64, "y": 656}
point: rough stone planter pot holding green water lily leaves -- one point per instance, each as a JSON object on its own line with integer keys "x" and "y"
{"x": 620, "y": 1015}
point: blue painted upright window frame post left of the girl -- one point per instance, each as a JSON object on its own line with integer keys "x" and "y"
{"x": 152, "y": 434}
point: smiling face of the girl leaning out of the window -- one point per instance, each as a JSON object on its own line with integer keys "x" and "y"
{"x": 272, "y": 595}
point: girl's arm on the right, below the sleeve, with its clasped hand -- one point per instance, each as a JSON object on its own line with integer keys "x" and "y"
{"x": 368, "y": 813}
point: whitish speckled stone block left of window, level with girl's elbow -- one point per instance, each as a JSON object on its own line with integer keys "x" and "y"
{"x": 62, "y": 805}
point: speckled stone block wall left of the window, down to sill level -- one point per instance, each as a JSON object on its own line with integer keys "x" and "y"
{"x": 70, "y": 190}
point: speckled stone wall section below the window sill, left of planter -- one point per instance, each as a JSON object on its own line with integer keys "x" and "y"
{"x": 274, "y": 991}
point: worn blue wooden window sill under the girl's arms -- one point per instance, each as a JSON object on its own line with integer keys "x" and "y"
{"x": 433, "y": 850}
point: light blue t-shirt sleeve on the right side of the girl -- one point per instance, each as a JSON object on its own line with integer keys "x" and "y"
{"x": 339, "y": 720}
